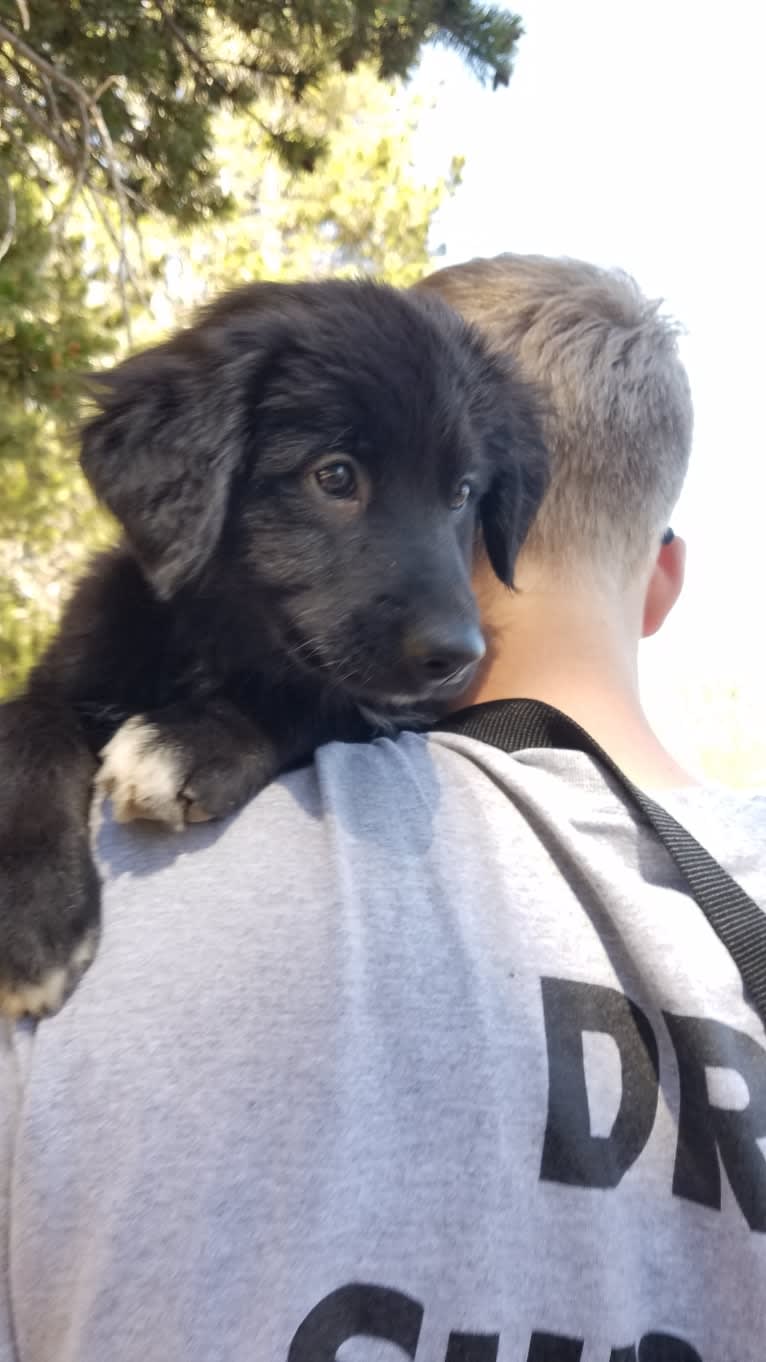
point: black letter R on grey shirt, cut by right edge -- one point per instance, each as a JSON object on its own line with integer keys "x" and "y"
{"x": 701, "y": 1045}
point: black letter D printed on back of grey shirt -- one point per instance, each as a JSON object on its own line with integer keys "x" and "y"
{"x": 570, "y": 1153}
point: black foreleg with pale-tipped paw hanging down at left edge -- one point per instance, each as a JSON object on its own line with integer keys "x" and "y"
{"x": 50, "y": 898}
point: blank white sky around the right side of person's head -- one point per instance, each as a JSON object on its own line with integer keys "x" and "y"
{"x": 633, "y": 136}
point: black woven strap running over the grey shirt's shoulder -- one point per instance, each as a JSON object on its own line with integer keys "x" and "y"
{"x": 517, "y": 725}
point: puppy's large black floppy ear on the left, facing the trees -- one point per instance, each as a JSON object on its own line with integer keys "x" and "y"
{"x": 163, "y": 452}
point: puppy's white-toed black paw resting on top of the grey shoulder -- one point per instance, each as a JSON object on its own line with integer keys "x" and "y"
{"x": 189, "y": 763}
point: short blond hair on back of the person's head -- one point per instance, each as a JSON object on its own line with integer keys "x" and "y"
{"x": 617, "y": 404}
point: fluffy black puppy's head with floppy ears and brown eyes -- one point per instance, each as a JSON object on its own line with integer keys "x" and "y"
{"x": 325, "y": 456}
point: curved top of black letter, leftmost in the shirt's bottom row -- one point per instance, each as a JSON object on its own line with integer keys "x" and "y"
{"x": 352, "y": 1312}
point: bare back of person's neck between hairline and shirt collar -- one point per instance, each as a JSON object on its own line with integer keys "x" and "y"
{"x": 576, "y": 650}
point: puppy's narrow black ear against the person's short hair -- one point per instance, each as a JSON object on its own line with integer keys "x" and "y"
{"x": 521, "y": 465}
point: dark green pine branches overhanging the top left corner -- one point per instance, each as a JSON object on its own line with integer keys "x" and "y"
{"x": 123, "y": 93}
